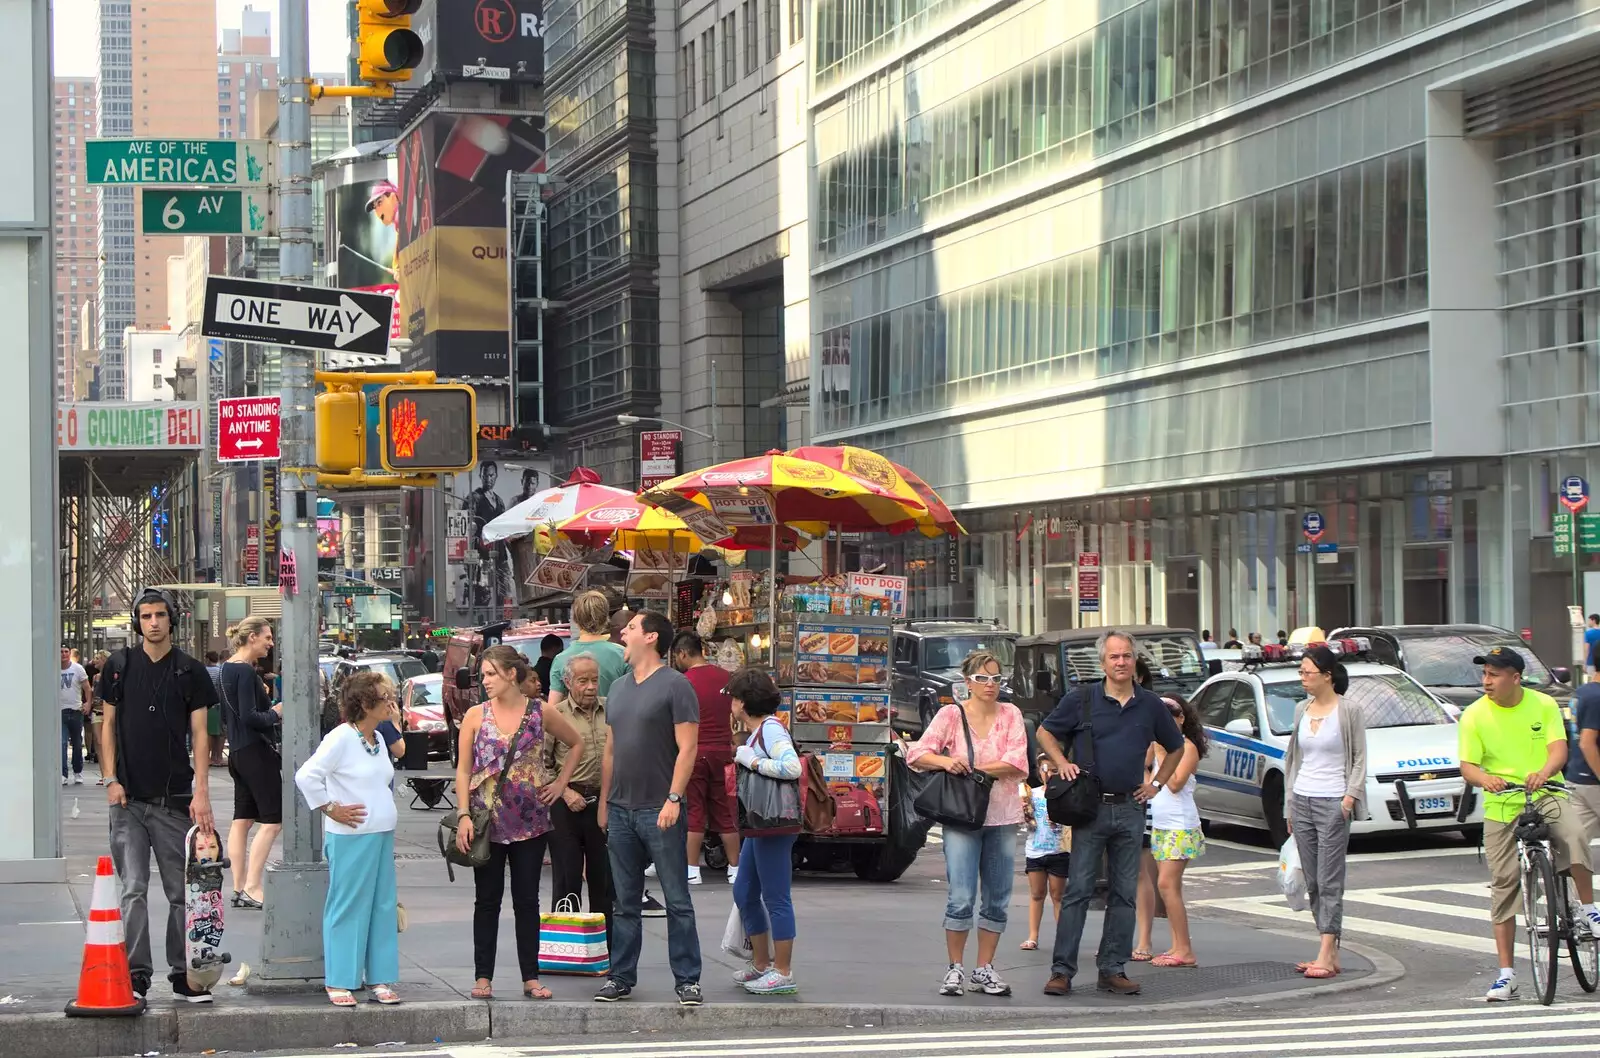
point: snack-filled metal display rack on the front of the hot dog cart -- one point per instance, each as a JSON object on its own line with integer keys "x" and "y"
{"x": 834, "y": 678}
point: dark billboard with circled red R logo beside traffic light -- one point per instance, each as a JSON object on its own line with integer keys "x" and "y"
{"x": 498, "y": 34}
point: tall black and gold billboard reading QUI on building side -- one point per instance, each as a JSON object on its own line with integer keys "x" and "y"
{"x": 452, "y": 238}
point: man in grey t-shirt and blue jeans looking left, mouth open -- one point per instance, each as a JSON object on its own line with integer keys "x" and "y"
{"x": 652, "y": 737}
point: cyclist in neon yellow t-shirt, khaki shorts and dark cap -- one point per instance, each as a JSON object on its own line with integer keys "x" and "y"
{"x": 1516, "y": 735}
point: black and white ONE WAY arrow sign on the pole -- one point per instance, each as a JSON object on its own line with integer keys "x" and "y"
{"x": 311, "y": 318}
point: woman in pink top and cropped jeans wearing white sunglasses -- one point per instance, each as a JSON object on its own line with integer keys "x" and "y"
{"x": 985, "y": 857}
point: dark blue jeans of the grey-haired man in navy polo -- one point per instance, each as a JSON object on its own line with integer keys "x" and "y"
{"x": 1116, "y": 836}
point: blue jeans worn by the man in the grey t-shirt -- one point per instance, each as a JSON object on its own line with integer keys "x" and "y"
{"x": 633, "y": 843}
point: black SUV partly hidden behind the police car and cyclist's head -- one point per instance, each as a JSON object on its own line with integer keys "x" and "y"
{"x": 1439, "y": 657}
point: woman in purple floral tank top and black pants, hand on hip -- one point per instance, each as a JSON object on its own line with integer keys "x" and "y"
{"x": 519, "y": 811}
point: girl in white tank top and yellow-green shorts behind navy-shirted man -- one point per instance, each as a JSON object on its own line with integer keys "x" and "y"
{"x": 1175, "y": 838}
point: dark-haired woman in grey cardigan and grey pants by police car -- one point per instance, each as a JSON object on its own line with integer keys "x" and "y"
{"x": 1327, "y": 783}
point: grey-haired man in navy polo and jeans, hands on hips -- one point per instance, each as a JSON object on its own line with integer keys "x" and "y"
{"x": 1122, "y": 719}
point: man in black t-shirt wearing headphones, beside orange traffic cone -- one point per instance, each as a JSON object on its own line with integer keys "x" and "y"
{"x": 156, "y": 700}
